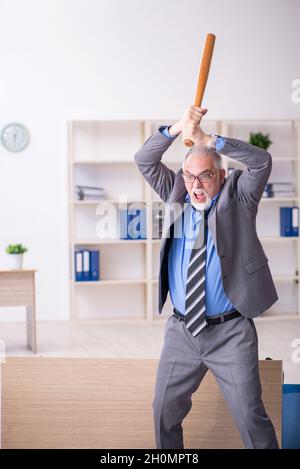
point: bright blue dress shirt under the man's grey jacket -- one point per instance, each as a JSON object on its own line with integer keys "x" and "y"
{"x": 216, "y": 301}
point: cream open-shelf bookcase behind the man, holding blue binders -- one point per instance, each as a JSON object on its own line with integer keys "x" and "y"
{"x": 129, "y": 268}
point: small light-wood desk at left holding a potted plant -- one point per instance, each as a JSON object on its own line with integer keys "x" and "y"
{"x": 17, "y": 288}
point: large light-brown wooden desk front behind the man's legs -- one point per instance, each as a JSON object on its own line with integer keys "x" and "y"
{"x": 107, "y": 403}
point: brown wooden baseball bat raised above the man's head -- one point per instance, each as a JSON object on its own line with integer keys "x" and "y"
{"x": 203, "y": 74}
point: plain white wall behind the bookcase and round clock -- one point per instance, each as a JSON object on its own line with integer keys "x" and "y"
{"x": 67, "y": 59}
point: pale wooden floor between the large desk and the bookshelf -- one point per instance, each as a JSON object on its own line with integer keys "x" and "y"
{"x": 138, "y": 340}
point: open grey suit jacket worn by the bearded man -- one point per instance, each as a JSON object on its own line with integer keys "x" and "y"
{"x": 246, "y": 276}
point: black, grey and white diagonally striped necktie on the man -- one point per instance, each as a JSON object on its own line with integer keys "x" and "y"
{"x": 195, "y": 318}
